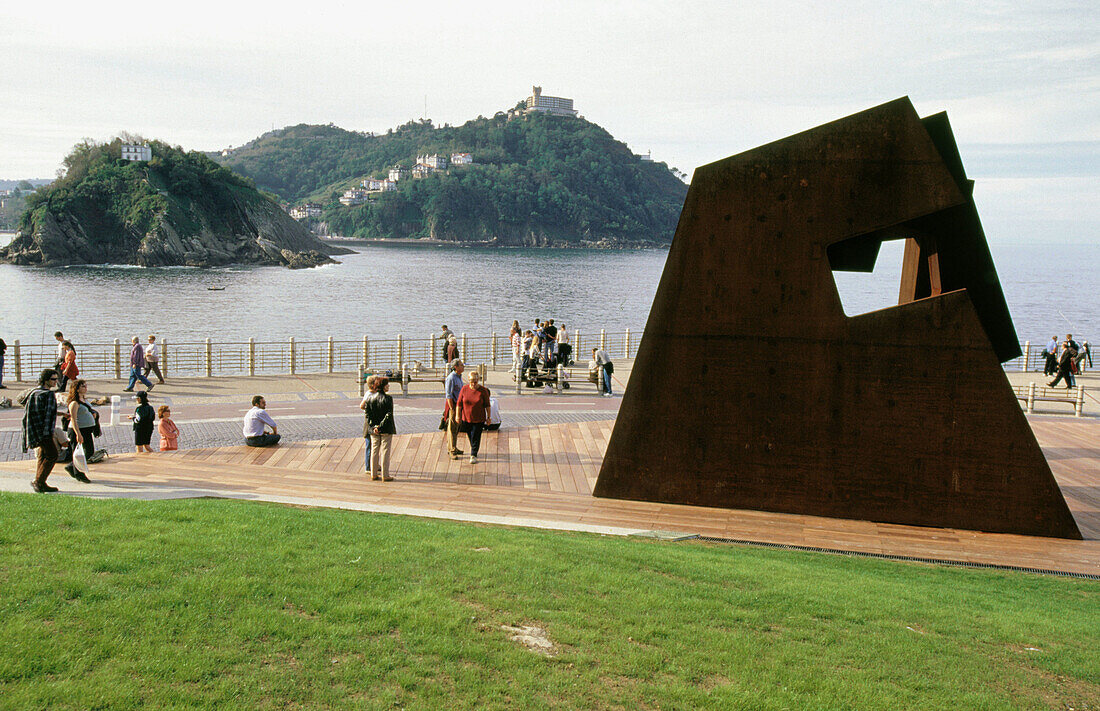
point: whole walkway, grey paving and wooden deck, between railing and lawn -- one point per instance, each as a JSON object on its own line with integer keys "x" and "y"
{"x": 537, "y": 472}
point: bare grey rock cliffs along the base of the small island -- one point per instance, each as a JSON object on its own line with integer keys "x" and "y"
{"x": 248, "y": 232}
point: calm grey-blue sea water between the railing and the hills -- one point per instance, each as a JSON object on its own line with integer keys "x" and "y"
{"x": 386, "y": 290}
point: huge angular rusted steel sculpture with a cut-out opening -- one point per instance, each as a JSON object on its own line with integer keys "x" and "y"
{"x": 753, "y": 390}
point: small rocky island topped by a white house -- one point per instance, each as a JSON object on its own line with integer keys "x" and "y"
{"x": 153, "y": 205}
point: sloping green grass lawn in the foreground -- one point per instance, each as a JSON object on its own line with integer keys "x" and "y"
{"x": 238, "y": 605}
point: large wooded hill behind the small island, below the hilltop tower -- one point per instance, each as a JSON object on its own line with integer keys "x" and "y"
{"x": 537, "y": 180}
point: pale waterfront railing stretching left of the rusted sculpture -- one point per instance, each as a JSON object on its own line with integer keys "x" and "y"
{"x": 212, "y": 358}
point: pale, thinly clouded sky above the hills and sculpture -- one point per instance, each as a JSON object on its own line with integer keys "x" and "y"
{"x": 691, "y": 83}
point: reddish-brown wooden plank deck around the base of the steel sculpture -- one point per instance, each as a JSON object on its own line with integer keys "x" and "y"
{"x": 544, "y": 476}
